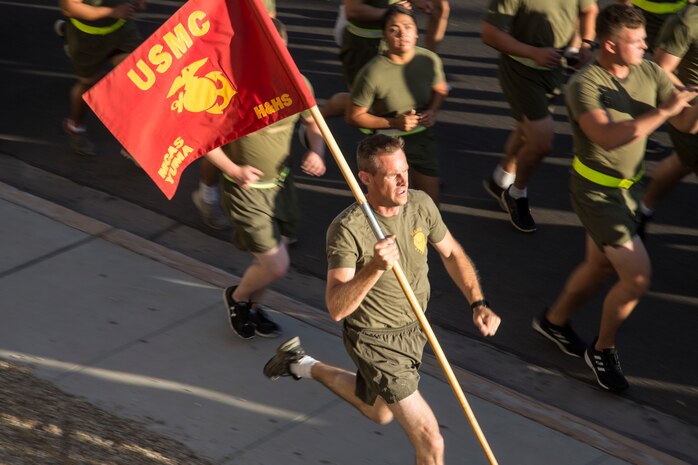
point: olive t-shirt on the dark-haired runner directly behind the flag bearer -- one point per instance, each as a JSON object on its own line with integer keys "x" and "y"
{"x": 390, "y": 89}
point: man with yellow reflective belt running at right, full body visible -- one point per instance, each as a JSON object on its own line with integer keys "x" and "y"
{"x": 614, "y": 104}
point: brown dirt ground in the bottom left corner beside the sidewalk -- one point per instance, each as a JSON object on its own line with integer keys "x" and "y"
{"x": 41, "y": 425}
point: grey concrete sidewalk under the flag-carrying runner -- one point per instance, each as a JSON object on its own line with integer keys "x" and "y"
{"x": 140, "y": 331}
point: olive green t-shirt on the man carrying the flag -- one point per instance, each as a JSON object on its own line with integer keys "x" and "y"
{"x": 350, "y": 242}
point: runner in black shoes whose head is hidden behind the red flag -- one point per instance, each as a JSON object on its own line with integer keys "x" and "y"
{"x": 259, "y": 198}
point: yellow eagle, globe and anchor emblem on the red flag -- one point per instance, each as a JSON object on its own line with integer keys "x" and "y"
{"x": 210, "y": 93}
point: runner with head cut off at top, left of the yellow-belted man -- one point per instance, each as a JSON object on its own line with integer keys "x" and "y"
{"x": 531, "y": 36}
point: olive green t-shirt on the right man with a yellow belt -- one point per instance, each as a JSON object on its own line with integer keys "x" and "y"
{"x": 623, "y": 99}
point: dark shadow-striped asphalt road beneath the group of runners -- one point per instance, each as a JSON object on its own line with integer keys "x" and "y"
{"x": 521, "y": 274}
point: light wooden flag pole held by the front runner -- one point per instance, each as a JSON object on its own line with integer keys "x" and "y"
{"x": 397, "y": 270}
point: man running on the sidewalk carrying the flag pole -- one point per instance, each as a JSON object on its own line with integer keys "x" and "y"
{"x": 381, "y": 331}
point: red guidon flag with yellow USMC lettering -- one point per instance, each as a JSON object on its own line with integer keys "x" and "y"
{"x": 215, "y": 71}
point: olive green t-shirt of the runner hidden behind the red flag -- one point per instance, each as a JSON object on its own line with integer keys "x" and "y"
{"x": 267, "y": 149}
